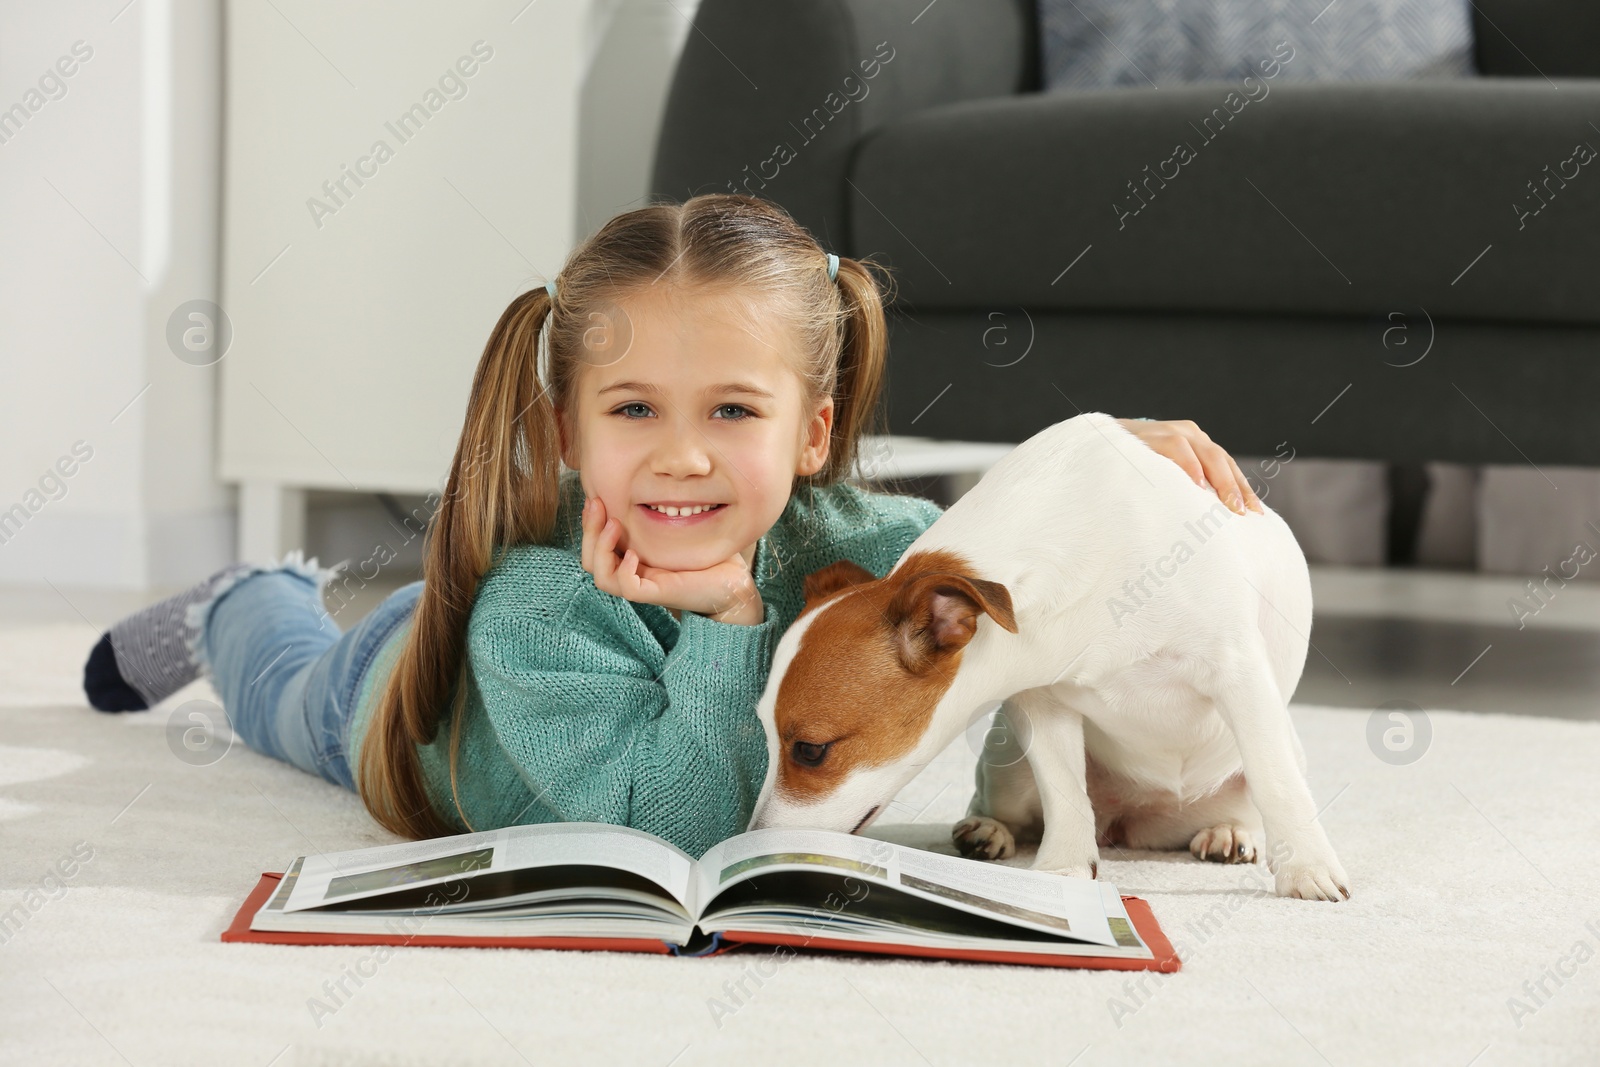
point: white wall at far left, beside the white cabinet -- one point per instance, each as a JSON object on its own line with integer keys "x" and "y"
{"x": 110, "y": 220}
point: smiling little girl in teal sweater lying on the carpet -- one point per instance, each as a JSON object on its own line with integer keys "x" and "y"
{"x": 652, "y": 465}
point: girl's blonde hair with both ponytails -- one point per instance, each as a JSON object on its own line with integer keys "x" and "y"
{"x": 505, "y": 481}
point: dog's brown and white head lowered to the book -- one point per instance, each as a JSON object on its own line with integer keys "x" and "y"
{"x": 857, "y": 681}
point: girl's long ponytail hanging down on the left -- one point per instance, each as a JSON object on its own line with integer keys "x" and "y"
{"x": 503, "y": 490}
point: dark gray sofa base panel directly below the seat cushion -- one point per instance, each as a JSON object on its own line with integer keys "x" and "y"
{"x": 1486, "y": 393}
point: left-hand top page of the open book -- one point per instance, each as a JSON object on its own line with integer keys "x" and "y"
{"x": 330, "y": 879}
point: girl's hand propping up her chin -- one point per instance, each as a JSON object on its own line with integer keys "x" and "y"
{"x": 724, "y": 593}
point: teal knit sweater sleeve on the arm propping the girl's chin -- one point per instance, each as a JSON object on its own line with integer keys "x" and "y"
{"x": 598, "y": 735}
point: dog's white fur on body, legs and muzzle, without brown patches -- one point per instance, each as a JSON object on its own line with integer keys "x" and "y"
{"x": 1148, "y": 685}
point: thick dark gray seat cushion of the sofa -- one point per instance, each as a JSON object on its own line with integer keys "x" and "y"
{"x": 1254, "y": 198}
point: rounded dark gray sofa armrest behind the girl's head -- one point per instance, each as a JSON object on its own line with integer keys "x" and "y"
{"x": 772, "y": 100}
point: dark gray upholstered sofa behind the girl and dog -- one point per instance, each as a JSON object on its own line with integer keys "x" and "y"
{"x": 1284, "y": 287}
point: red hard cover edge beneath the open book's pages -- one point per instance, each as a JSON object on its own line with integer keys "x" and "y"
{"x": 1138, "y": 913}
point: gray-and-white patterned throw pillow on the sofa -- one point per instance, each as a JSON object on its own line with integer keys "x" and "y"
{"x": 1102, "y": 44}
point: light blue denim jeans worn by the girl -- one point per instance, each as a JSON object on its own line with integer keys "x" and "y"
{"x": 287, "y": 676}
